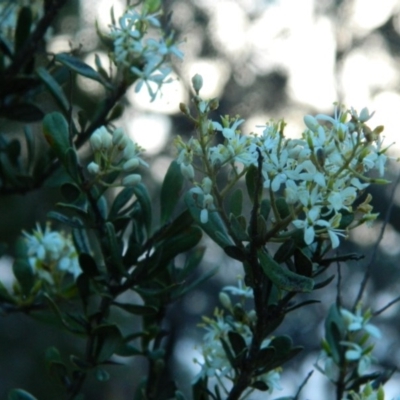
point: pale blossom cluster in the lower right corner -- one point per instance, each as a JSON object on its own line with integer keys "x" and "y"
{"x": 359, "y": 351}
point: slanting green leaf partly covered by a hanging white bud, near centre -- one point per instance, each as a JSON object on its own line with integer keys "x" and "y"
{"x": 214, "y": 225}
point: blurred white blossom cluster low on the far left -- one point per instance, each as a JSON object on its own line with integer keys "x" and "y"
{"x": 51, "y": 253}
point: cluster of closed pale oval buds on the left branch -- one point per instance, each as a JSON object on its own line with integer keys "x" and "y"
{"x": 115, "y": 152}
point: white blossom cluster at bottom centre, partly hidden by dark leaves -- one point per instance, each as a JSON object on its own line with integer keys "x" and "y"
{"x": 214, "y": 362}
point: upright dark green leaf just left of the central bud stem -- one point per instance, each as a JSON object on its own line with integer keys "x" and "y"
{"x": 171, "y": 190}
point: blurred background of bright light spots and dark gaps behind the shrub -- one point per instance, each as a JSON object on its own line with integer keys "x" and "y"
{"x": 263, "y": 59}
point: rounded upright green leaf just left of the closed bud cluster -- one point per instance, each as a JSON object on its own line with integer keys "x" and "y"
{"x": 55, "y": 130}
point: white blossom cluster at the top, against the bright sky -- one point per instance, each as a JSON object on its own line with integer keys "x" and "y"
{"x": 146, "y": 58}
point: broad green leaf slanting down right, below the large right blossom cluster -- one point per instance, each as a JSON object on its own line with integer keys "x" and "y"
{"x": 282, "y": 277}
